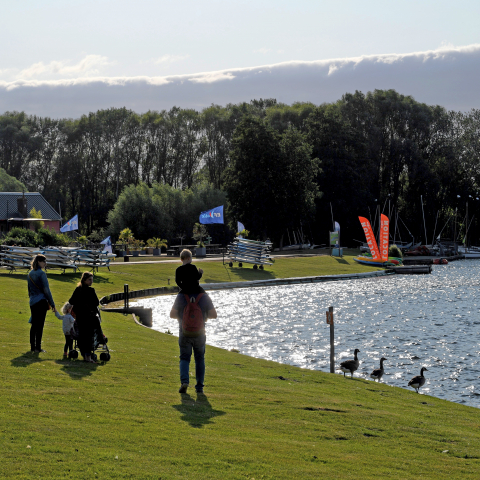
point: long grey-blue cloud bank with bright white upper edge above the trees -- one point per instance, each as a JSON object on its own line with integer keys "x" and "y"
{"x": 446, "y": 76}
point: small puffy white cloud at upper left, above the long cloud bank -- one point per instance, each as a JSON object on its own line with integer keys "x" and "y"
{"x": 88, "y": 66}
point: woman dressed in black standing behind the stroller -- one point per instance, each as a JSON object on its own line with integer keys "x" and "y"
{"x": 85, "y": 306}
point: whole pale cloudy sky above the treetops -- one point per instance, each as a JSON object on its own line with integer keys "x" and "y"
{"x": 66, "y": 58}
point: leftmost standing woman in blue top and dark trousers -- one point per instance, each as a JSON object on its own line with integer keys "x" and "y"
{"x": 41, "y": 301}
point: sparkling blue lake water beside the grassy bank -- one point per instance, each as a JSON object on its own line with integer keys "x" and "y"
{"x": 411, "y": 320}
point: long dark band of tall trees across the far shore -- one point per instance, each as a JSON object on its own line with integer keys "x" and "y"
{"x": 278, "y": 166}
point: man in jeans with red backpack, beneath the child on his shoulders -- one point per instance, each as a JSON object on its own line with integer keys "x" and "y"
{"x": 192, "y": 335}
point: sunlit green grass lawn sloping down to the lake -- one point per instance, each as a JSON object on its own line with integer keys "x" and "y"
{"x": 259, "y": 419}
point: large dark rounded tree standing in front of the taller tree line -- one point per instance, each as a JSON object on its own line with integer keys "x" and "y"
{"x": 270, "y": 182}
